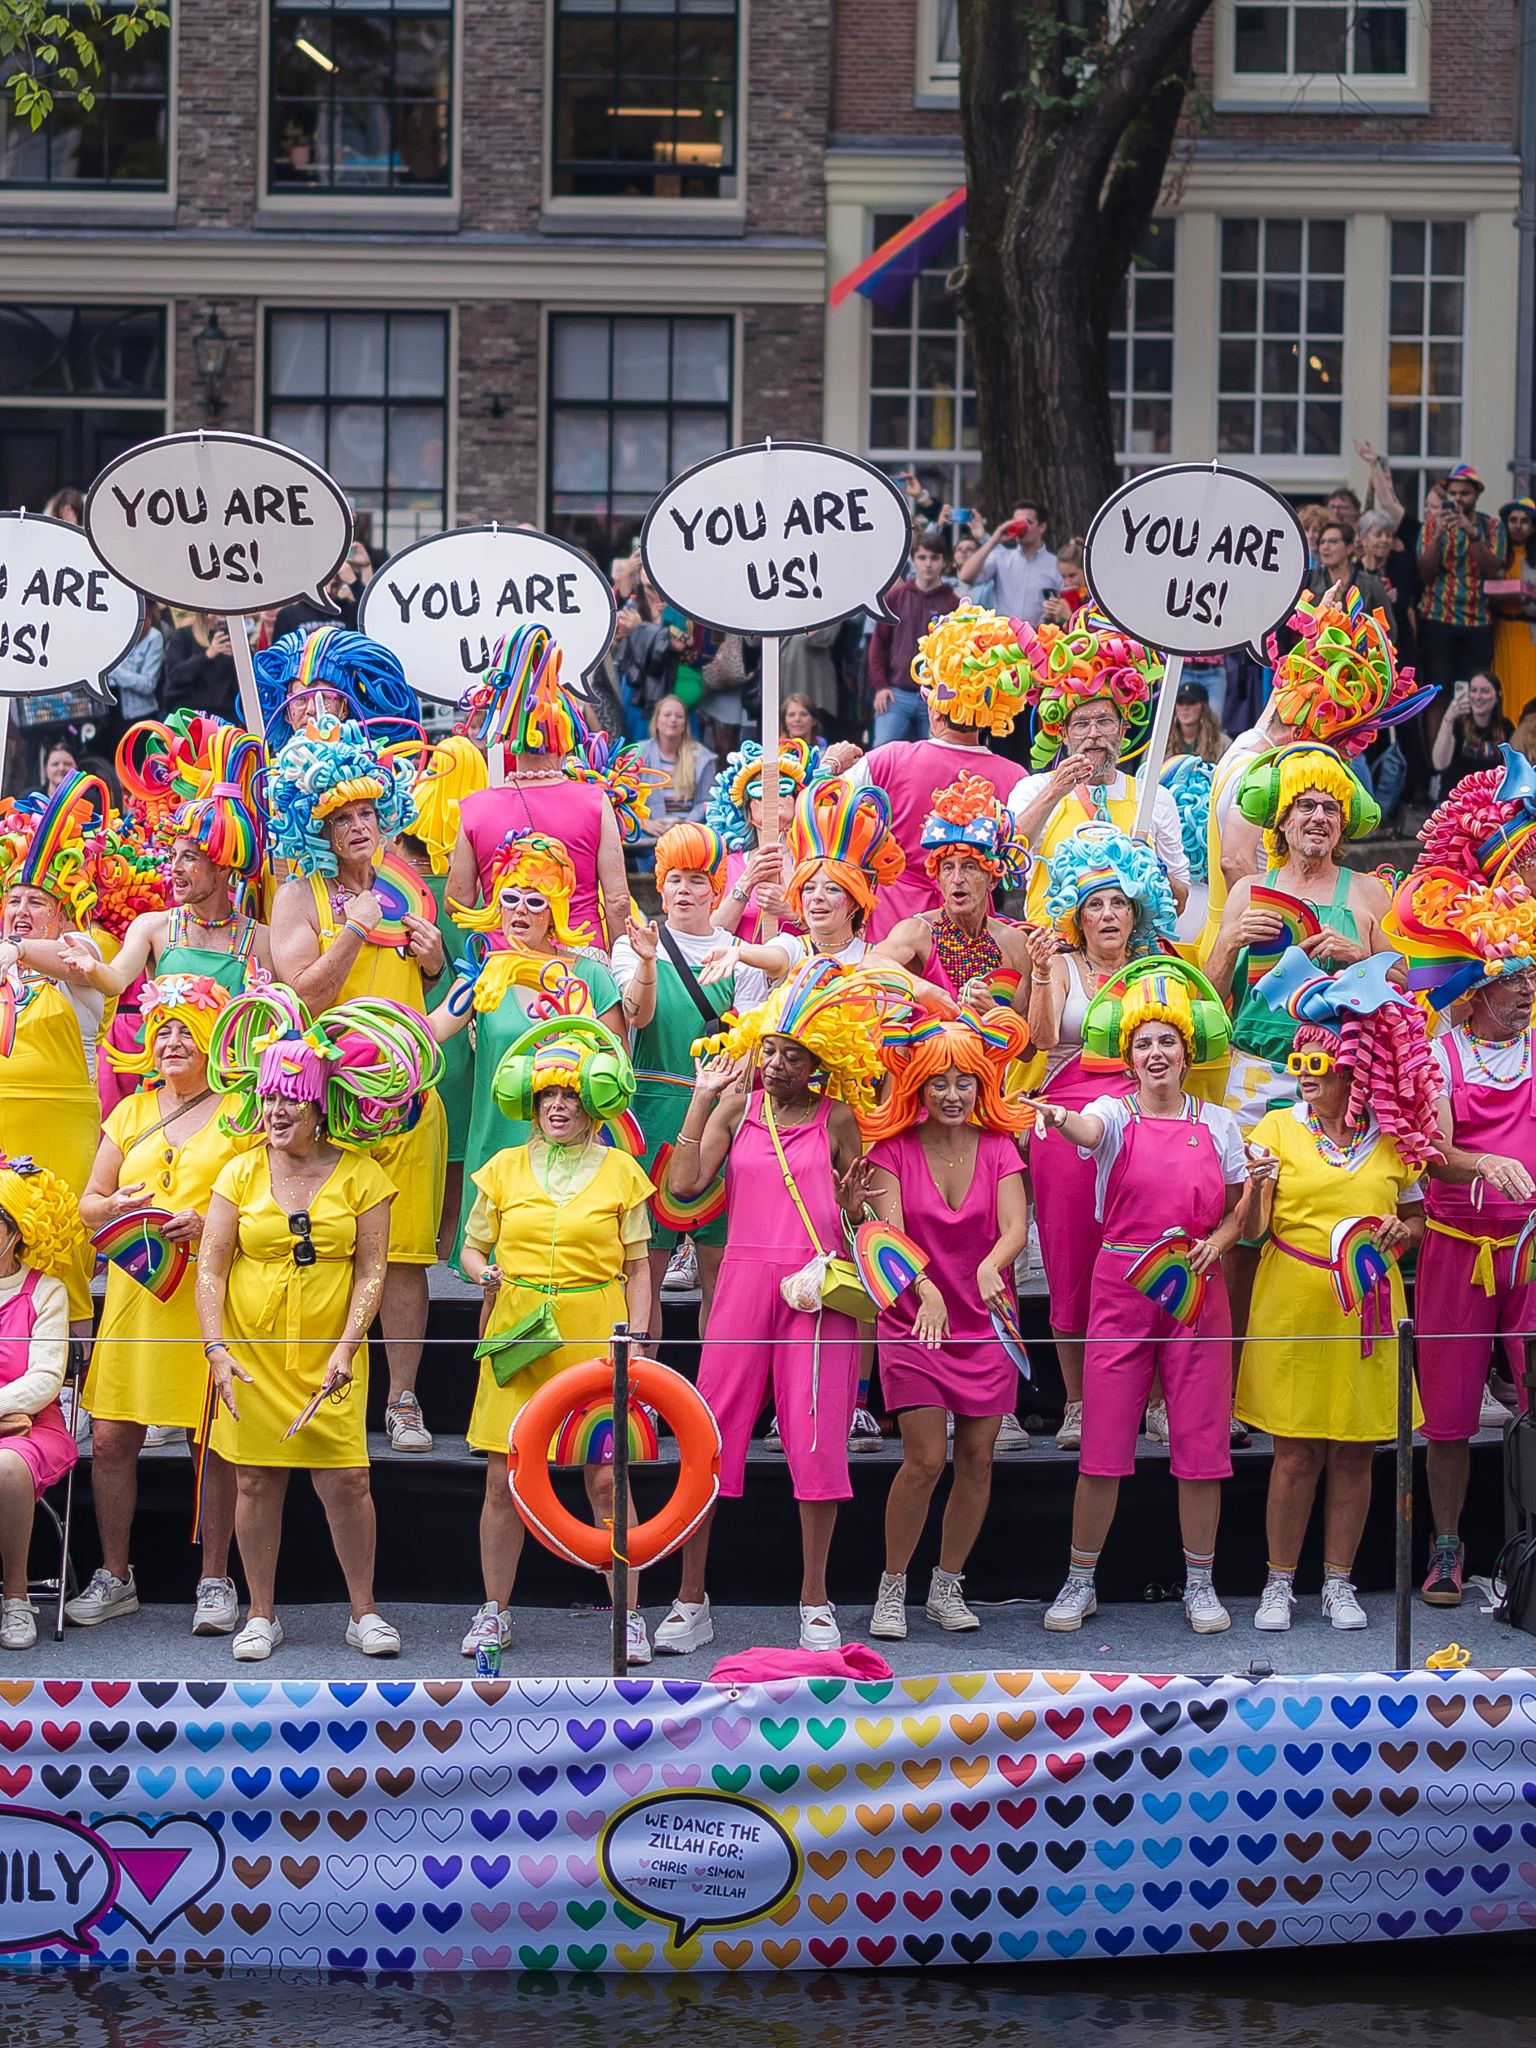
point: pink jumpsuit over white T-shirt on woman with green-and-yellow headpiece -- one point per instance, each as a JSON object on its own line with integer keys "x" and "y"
{"x": 1168, "y": 1175}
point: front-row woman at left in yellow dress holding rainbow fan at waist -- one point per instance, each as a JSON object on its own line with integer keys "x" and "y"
{"x": 163, "y": 1150}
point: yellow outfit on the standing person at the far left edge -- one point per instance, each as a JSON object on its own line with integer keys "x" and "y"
{"x": 50, "y": 1109}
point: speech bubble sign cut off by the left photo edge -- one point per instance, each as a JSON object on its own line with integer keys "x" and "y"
{"x": 65, "y": 620}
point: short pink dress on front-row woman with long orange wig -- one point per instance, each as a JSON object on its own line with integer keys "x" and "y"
{"x": 972, "y": 1375}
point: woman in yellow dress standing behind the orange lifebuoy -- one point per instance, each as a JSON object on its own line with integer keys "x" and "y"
{"x": 562, "y": 1224}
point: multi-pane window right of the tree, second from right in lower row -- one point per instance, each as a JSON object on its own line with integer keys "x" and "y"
{"x": 1281, "y": 374}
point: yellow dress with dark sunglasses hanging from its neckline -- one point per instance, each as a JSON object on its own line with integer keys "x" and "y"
{"x": 284, "y": 1320}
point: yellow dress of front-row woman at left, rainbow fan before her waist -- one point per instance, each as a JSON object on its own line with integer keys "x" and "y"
{"x": 148, "y": 1359}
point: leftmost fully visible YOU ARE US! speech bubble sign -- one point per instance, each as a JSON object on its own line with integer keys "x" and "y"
{"x": 220, "y": 523}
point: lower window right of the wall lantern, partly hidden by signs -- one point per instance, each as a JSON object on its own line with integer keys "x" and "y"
{"x": 368, "y": 398}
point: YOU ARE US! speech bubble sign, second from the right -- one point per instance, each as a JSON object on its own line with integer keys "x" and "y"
{"x": 777, "y": 540}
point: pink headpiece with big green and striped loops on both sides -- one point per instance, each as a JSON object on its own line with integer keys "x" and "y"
{"x": 366, "y": 1064}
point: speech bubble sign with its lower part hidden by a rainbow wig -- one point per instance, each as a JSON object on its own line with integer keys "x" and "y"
{"x": 441, "y": 605}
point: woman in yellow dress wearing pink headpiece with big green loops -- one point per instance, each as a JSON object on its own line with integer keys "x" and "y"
{"x": 292, "y": 1275}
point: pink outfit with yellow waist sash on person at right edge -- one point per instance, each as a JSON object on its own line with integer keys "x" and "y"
{"x": 1457, "y": 1310}
